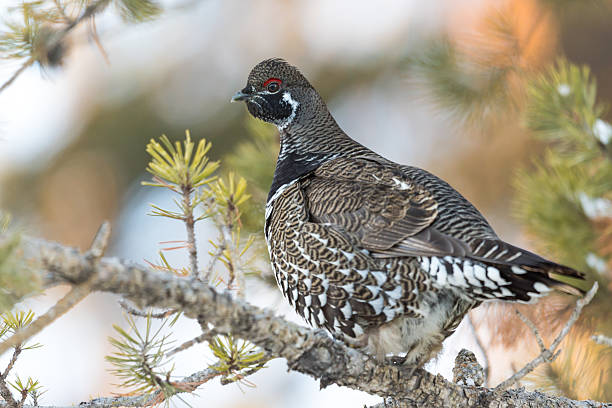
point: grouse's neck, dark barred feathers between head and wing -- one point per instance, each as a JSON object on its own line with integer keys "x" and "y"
{"x": 308, "y": 142}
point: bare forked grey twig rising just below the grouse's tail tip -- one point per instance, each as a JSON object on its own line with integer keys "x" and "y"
{"x": 547, "y": 355}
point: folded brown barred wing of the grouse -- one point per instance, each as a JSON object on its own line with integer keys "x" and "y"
{"x": 378, "y": 207}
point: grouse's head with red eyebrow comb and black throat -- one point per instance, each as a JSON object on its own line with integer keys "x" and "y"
{"x": 276, "y": 91}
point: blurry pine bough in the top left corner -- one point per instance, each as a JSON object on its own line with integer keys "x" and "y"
{"x": 36, "y": 32}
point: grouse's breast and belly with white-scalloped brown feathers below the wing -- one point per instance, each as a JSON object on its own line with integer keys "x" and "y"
{"x": 329, "y": 280}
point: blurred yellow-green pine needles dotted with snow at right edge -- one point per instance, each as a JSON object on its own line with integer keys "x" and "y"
{"x": 564, "y": 195}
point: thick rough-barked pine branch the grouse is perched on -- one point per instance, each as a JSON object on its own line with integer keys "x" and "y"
{"x": 306, "y": 351}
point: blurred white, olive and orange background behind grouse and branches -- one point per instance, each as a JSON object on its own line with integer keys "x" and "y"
{"x": 439, "y": 85}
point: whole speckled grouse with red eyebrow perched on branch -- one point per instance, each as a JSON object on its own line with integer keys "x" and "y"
{"x": 386, "y": 257}
